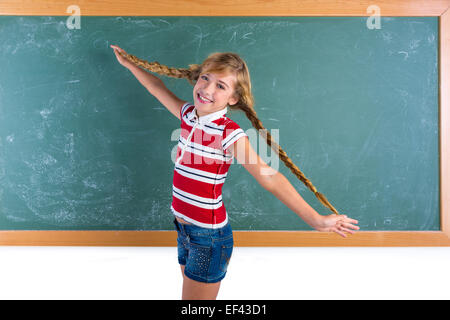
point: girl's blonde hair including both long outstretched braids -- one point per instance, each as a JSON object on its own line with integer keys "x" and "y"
{"x": 229, "y": 62}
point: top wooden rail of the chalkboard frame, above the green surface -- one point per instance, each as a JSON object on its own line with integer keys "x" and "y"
{"x": 225, "y": 7}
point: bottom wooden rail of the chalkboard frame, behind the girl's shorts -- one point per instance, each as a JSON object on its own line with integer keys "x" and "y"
{"x": 241, "y": 238}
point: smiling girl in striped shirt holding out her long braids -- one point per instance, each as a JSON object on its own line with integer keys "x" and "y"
{"x": 208, "y": 142}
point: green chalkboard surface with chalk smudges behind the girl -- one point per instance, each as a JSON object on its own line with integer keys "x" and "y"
{"x": 83, "y": 146}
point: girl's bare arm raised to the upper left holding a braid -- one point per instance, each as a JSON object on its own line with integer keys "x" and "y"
{"x": 153, "y": 84}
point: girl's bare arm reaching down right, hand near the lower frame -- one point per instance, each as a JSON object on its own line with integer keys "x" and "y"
{"x": 280, "y": 187}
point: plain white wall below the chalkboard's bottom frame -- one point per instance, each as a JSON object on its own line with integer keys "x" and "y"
{"x": 254, "y": 273}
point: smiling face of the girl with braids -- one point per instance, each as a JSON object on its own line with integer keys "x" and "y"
{"x": 213, "y": 92}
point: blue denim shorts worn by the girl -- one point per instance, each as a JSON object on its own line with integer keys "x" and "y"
{"x": 204, "y": 252}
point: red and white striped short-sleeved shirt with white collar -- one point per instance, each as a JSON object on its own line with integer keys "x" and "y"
{"x": 201, "y": 166}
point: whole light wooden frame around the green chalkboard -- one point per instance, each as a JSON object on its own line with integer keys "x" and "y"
{"x": 439, "y": 8}
